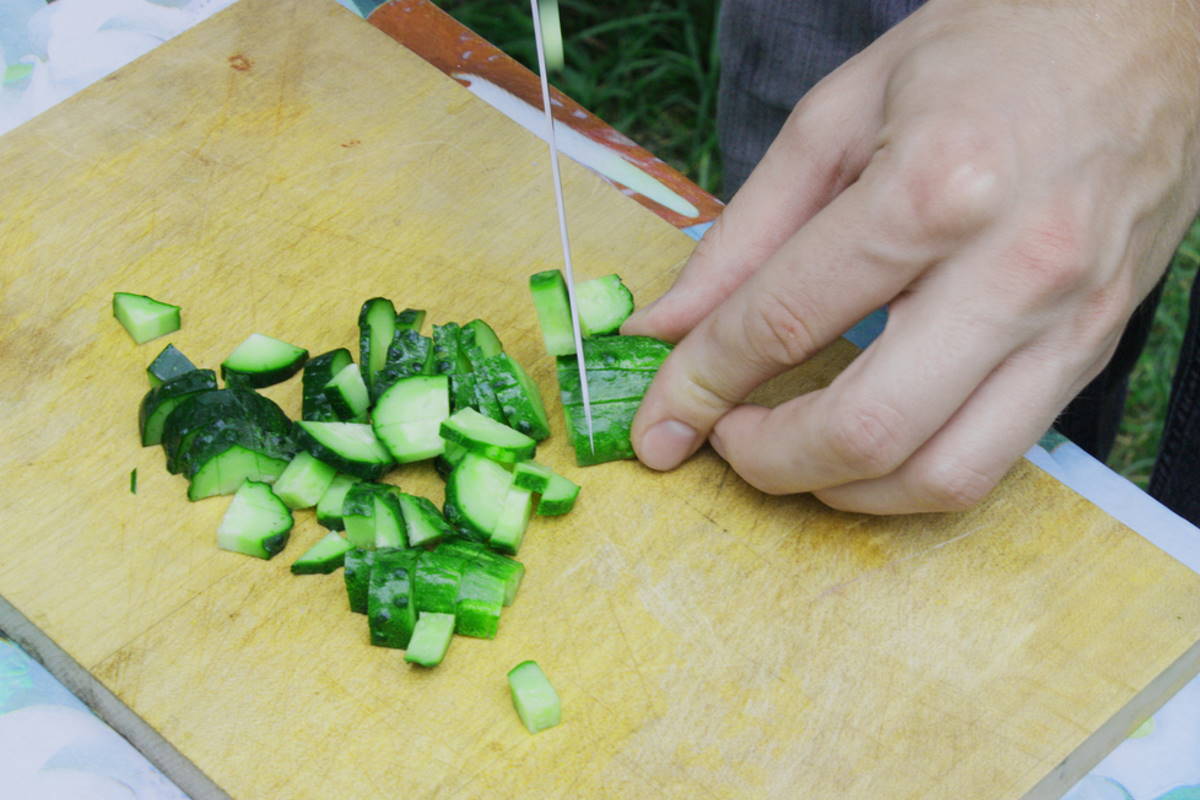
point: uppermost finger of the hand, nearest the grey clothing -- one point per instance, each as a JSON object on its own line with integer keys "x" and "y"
{"x": 825, "y": 145}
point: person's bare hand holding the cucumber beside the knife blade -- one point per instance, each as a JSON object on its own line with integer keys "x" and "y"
{"x": 1011, "y": 178}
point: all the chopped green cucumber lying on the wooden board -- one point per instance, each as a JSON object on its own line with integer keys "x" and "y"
{"x": 418, "y": 574}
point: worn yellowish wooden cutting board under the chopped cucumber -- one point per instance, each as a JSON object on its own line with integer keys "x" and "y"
{"x": 283, "y": 163}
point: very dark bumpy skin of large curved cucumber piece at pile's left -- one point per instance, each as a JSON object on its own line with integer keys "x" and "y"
{"x": 208, "y": 413}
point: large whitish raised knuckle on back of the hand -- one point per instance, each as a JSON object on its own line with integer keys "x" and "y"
{"x": 947, "y": 179}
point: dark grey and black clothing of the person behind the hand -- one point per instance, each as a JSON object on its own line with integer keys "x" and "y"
{"x": 775, "y": 51}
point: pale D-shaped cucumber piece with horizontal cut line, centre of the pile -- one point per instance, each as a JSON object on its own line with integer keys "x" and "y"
{"x": 410, "y": 414}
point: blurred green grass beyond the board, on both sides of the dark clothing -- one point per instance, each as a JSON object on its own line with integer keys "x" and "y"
{"x": 650, "y": 69}
